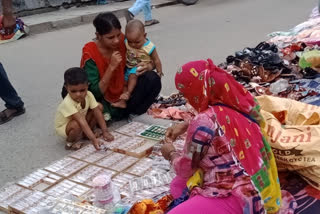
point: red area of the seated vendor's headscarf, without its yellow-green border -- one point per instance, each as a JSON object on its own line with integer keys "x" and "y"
{"x": 204, "y": 84}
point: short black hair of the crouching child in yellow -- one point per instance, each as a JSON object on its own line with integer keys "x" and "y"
{"x": 75, "y": 76}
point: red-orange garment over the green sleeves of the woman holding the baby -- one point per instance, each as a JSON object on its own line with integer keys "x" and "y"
{"x": 91, "y": 52}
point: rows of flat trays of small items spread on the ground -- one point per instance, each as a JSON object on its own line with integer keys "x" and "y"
{"x": 74, "y": 176}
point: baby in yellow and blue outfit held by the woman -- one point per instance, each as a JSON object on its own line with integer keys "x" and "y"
{"x": 139, "y": 49}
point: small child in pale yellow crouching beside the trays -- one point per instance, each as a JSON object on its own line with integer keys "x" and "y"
{"x": 79, "y": 112}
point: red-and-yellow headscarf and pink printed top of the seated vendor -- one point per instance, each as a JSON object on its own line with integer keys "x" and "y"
{"x": 232, "y": 132}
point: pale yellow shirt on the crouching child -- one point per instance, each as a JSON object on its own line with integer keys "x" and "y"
{"x": 69, "y": 107}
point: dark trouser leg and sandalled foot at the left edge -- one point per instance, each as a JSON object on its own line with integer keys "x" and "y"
{"x": 13, "y": 103}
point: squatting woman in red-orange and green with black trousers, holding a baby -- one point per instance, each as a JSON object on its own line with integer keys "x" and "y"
{"x": 104, "y": 61}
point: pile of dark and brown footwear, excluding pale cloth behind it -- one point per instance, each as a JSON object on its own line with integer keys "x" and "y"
{"x": 268, "y": 70}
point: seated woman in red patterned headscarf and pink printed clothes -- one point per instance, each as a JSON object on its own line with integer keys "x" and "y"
{"x": 227, "y": 165}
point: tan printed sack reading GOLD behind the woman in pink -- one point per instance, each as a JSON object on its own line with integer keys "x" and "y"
{"x": 293, "y": 130}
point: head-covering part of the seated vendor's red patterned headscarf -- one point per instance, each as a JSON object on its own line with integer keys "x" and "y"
{"x": 203, "y": 84}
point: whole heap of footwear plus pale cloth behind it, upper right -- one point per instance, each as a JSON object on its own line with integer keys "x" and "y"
{"x": 285, "y": 66}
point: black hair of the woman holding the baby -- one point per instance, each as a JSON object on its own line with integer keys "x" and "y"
{"x": 106, "y": 22}
